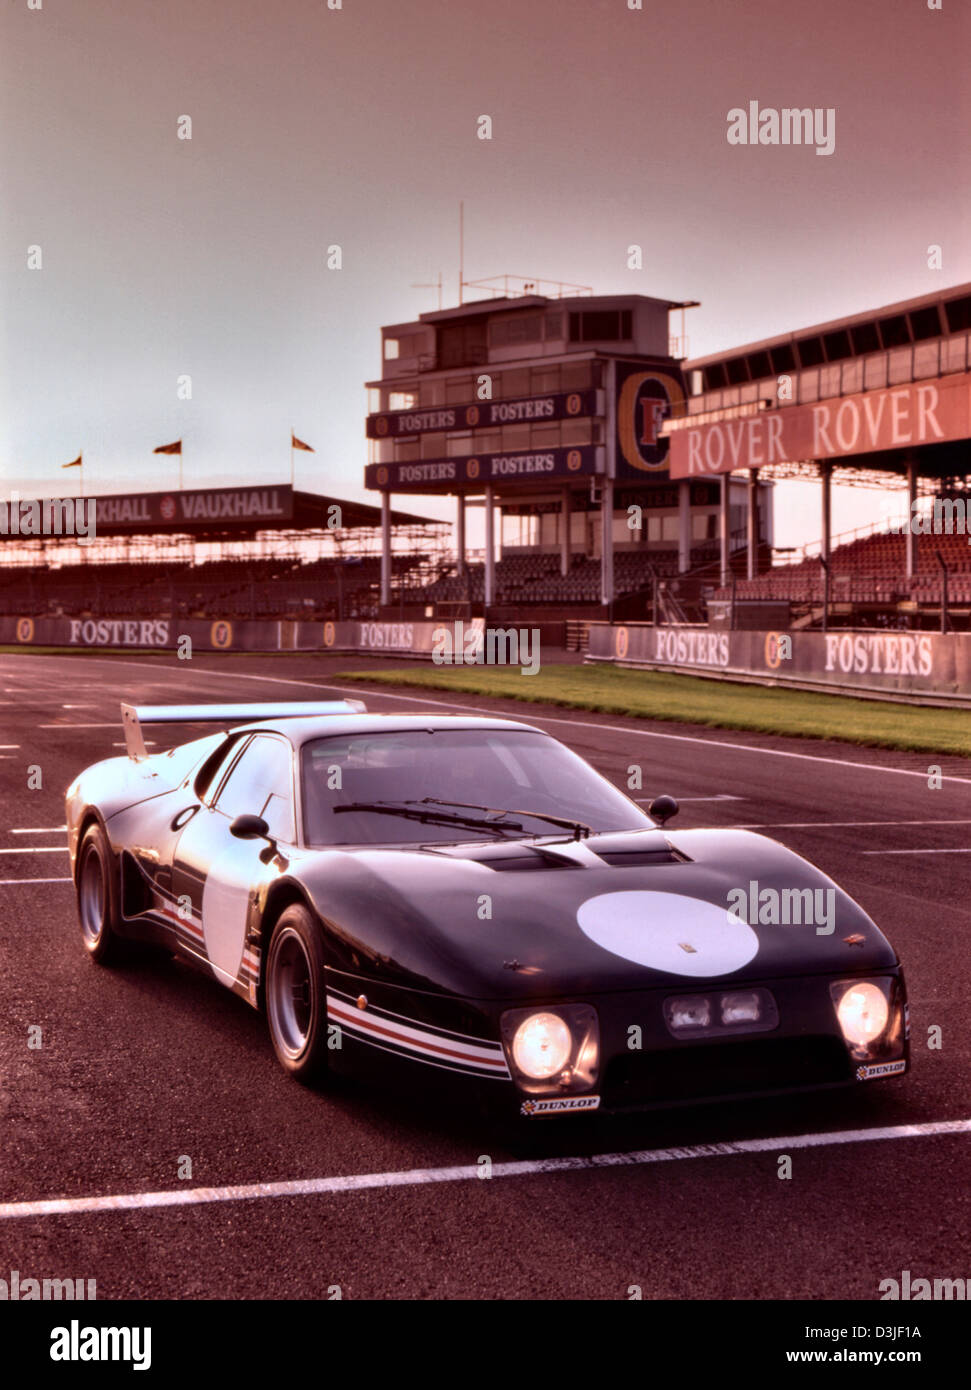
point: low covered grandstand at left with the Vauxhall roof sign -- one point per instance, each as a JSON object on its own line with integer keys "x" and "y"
{"x": 287, "y": 565}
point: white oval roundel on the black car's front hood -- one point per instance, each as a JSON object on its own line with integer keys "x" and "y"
{"x": 669, "y": 932}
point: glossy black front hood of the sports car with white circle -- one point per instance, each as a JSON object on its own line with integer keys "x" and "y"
{"x": 531, "y": 919}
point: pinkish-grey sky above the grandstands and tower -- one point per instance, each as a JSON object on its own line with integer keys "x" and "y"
{"x": 358, "y": 127}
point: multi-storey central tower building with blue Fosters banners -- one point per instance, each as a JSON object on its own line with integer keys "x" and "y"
{"x": 551, "y": 414}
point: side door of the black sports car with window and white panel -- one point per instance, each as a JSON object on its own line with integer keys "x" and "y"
{"x": 220, "y": 874}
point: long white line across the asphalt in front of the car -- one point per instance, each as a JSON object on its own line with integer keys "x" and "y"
{"x": 419, "y": 1177}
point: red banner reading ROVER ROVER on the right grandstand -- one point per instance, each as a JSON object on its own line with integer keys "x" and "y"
{"x": 898, "y": 418}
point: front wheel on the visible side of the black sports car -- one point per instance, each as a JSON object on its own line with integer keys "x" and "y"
{"x": 297, "y": 996}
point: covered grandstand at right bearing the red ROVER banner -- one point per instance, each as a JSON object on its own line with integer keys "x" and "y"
{"x": 880, "y": 401}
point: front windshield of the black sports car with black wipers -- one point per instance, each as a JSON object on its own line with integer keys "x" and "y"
{"x": 352, "y": 783}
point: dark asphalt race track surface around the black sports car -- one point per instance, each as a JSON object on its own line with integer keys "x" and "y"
{"x": 294, "y": 1193}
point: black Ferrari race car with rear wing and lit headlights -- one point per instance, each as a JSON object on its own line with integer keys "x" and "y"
{"x": 467, "y": 900}
